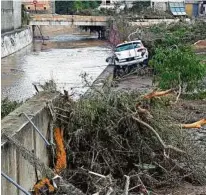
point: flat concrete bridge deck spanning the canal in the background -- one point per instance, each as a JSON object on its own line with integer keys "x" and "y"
{"x": 76, "y": 20}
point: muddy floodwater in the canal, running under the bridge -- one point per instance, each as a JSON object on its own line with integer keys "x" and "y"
{"x": 63, "y": 59}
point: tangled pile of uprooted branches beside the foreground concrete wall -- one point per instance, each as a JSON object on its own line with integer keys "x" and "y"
{"x": 114, "y": 146}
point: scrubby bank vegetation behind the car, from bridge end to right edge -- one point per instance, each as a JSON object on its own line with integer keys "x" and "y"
{"x": 159, "y": 35}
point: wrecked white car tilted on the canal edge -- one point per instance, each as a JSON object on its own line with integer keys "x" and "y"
{"x": 129, "y": 53}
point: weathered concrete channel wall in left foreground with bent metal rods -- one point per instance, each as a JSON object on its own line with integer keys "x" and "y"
{"x": 19, "y": 128}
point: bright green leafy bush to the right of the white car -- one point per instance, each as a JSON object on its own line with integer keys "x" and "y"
{"x": 178, "y": 65}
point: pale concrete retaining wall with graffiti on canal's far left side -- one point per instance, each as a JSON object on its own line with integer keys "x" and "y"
{"x": 15, "y": 40}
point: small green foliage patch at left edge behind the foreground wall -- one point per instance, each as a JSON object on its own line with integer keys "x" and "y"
{"x": 8, "y": 106}
